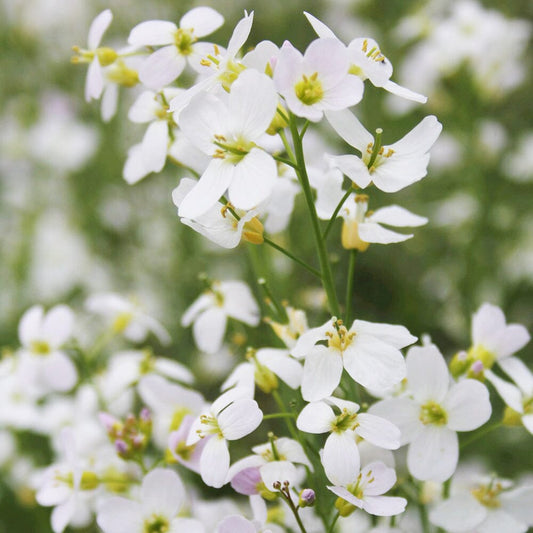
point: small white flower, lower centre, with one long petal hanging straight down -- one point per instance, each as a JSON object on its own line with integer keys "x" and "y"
{"x": 341, "y": 455}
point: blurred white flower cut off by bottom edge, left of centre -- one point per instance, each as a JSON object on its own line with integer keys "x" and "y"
{"x": 162, "y": 496}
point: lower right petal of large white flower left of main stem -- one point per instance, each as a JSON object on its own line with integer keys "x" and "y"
{"x": 253, "y": 179}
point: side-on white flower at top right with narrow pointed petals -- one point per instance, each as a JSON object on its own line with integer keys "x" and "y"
{"x": 367, "y": 62}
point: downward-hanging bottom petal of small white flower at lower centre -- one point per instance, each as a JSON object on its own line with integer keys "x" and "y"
{"x": 341, "y": 458}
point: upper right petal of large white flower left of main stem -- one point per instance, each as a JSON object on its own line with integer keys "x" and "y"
{"x": 252, "y": 104}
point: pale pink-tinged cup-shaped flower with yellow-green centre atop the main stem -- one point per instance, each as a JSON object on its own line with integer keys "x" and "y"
{"x": 318, "y": 80}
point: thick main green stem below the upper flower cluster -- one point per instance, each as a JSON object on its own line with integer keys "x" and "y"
{"x": 325, "y": 268}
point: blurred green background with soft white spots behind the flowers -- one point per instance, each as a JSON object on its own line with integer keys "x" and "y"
{"x": 70, "y": 226}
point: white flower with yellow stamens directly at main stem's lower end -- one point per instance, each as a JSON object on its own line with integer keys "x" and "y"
{"x": 368, "y": 351}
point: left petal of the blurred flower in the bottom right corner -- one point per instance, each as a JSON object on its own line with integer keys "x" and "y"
{"x": 458, "y": 514}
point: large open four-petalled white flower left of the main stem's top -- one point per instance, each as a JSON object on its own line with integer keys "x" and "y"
{"x": 227, "y": 132}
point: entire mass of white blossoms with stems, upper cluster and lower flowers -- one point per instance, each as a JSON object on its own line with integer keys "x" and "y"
{"x": 368, "y": 429}
